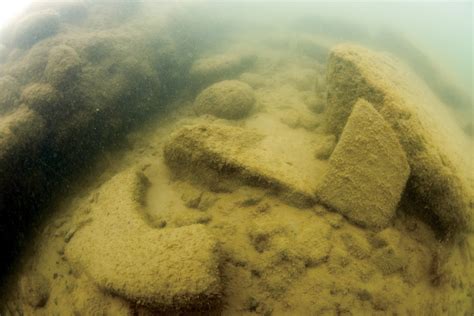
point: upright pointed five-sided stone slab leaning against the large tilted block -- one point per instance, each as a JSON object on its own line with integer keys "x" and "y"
{"x": 367, "y": 171}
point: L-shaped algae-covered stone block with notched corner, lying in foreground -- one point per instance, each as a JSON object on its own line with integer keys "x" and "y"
{"x": 162, "y": 268}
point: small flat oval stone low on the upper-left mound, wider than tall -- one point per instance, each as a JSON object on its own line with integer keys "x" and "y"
{"x": 41, "y": 97}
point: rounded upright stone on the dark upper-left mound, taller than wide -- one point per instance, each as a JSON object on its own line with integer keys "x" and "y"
{"x": 63, "y": 66}
